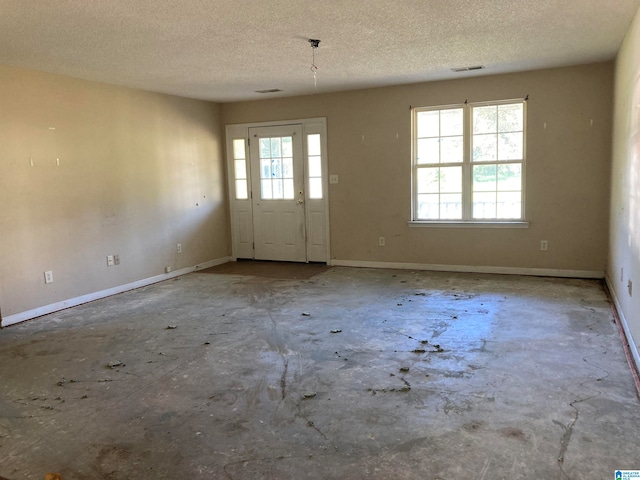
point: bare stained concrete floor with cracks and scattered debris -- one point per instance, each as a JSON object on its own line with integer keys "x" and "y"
{"x": 337, "y": 374}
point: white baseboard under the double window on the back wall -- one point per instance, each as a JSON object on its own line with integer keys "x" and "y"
{"x": 538, "y": 272}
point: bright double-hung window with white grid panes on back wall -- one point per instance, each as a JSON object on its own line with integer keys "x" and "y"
{"x": 468, "y": 163}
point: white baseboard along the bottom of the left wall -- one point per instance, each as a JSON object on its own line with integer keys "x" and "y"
{"x": 72, "y": 302}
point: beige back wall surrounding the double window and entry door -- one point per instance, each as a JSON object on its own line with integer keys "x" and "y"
{"x": 369, "y": 147}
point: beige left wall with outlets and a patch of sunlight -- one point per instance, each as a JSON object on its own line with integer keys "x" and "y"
{"x": 138, "y": 173}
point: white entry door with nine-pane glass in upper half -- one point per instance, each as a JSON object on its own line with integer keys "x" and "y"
{"x": 278, "y": 193}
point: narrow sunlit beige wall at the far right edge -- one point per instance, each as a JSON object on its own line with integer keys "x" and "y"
{"x": 624, "y": 255}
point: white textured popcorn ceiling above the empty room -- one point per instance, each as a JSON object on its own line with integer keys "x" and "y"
{"x": 225, "y": 50}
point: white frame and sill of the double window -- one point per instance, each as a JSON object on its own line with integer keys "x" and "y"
{"x": 467, "y": 164}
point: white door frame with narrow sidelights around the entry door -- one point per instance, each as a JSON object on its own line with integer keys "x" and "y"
{"x": 316, "y": 210}
